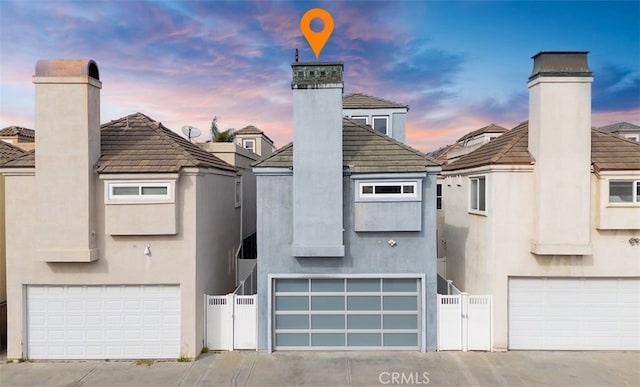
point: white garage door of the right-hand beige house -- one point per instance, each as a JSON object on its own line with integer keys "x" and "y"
{"x": 574, "y": 314}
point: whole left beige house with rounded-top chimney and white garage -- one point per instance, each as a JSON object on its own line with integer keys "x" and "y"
{"x": 114, "y": 233}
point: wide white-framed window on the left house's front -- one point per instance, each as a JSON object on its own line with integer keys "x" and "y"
{"x": 140, "y": 192}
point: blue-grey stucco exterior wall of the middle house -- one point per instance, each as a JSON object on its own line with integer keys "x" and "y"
{"x": 365, "y": 252}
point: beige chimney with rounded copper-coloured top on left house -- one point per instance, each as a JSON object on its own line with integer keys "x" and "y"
{"x": 67, "y": 120}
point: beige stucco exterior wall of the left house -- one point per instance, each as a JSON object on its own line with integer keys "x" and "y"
{"x": 121, "y": 258}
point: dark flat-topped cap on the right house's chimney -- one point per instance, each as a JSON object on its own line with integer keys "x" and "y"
{"x": 560, "y": 64}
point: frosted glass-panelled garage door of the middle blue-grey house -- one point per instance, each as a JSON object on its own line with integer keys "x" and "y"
{"x": 346, "y": 313}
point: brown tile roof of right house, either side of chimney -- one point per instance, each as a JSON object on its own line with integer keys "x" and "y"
{"x": 608, "y": 151}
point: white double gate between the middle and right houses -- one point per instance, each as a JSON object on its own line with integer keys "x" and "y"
{"x": 464, "y": 323}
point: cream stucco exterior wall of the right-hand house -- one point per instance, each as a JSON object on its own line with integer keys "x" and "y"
{"x": 483, "y": 253}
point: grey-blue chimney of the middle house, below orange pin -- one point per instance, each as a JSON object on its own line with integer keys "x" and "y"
{"x": 317, "y": 160}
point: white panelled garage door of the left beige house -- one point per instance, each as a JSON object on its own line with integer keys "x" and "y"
{"x": 103, "y": 322}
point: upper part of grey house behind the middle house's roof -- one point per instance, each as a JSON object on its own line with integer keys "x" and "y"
{"x": 384, "y": 116}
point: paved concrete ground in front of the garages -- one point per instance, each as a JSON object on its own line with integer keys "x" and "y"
{"x": 325, "y": 369}
